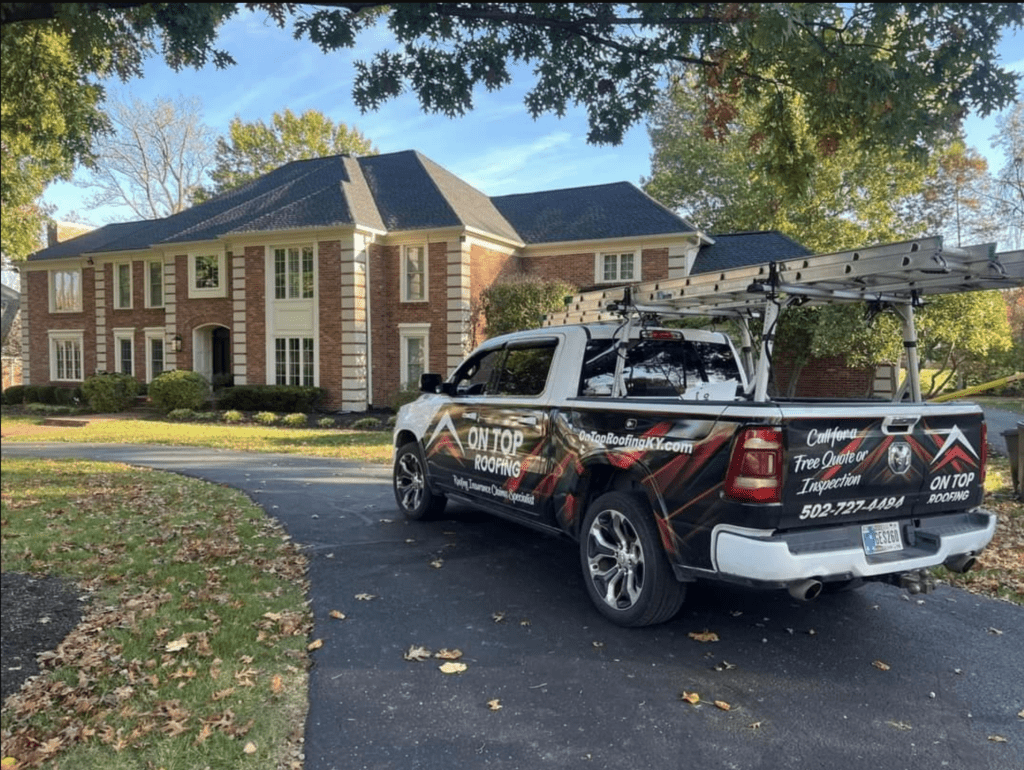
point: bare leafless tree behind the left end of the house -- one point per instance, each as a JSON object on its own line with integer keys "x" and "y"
{"x": 156, "y": 157}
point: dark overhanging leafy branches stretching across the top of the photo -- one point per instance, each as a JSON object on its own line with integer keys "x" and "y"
{"x": 871, "y": 75}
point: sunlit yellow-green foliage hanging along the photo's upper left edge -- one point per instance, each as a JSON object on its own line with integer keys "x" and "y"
{"x": 51, "y": 112}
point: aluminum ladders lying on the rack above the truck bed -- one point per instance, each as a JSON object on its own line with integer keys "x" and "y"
{"x": 894, "y": 274}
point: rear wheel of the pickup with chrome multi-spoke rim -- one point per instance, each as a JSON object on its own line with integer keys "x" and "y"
{"x": 627, "y": 574}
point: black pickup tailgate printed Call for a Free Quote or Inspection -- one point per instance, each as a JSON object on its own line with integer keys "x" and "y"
{"x": 874, "y": 462}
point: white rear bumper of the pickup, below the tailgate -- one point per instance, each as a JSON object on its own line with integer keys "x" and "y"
{"x": 770, "y": 558}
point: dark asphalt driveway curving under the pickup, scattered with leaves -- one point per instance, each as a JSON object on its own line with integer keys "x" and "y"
{"x": 875, "y": 679}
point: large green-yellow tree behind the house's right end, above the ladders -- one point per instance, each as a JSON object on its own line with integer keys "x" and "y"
{"x": 731, "y": 185}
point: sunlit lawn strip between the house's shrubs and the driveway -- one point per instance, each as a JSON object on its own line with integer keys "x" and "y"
{"x": 363, "y": 447}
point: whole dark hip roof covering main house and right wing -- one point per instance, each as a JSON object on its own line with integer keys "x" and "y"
{"x": 395, "y": 192}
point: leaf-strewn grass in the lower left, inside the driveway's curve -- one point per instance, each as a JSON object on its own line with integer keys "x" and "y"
{"x": 193, "y": 651}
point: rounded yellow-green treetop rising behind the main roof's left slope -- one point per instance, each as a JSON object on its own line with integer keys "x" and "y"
{"x": 253, "y": 149}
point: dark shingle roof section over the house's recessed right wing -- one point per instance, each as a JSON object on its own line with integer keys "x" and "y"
{"x": 618, "y": 210}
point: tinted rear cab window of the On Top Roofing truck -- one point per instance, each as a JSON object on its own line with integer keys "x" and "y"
{"x": 658, "y": 368}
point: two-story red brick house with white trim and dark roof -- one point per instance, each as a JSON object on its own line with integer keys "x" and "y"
{"x": 353, "y": 274}
